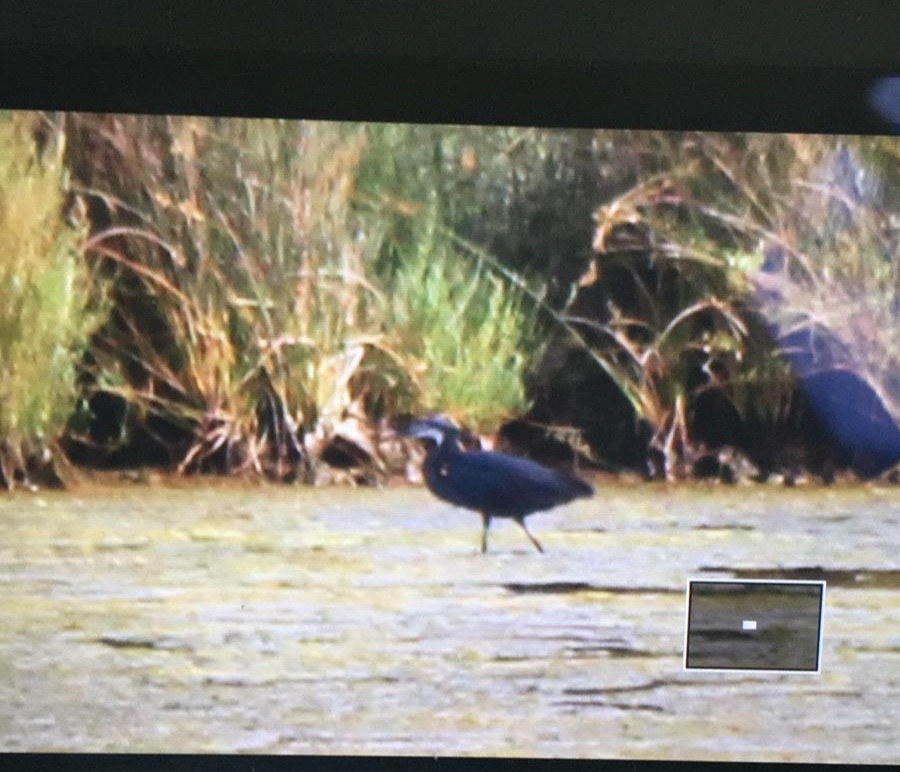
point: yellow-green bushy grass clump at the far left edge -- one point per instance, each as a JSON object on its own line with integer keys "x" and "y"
{"x": 48, "y": 302}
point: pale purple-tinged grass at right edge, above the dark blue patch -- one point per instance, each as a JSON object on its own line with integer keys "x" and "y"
{"x": 814, "y": 224}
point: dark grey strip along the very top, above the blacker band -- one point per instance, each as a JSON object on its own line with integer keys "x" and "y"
{"x": 798, "y": 33}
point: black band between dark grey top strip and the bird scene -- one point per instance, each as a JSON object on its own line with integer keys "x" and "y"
{"x": 441, "y": 90}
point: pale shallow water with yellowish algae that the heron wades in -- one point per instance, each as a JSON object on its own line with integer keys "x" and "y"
{"x": 283, "y": 620}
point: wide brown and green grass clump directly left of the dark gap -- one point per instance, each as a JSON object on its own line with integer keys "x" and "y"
{"x": 259, "y": 307}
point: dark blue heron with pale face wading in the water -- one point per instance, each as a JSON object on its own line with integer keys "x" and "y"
{"x": 492, "y": 484}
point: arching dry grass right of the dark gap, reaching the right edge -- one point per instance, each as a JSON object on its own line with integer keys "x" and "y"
{"x": 712, "y": 213}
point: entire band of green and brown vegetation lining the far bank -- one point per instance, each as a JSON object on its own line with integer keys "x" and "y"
{"x": 248, "y": 293}
